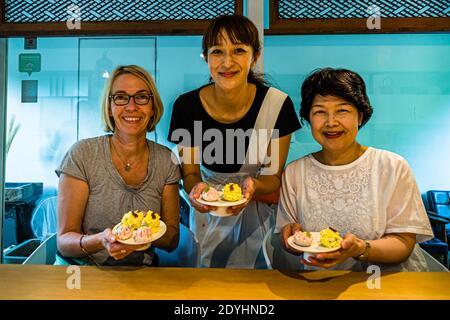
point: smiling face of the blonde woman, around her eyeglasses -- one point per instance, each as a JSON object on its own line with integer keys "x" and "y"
{"x": 130, "y": 119}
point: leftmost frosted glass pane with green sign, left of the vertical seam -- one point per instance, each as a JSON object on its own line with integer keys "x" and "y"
{"x": 48, "y": 126}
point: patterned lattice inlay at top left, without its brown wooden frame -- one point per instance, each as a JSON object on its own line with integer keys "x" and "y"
{"x": 115, "y": 10}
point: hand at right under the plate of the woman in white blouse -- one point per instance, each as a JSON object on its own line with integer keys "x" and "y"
{"x": 351, "y": 246}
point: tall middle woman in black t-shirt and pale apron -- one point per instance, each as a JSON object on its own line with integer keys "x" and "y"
{"x": 235, "y": 129}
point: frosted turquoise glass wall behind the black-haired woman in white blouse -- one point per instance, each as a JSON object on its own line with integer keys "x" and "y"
{"x": 408, "y": 80}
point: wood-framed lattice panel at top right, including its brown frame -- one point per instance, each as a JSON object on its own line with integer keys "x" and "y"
{"x": 351, "y": 16}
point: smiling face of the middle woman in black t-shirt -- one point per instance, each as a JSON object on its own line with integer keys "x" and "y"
{"x": 230, "y": 63}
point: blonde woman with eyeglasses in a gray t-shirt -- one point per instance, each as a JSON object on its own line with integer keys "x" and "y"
{"x": 102, "y": 178}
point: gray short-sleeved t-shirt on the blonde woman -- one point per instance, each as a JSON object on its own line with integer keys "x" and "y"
{"x": 110, "y": 197}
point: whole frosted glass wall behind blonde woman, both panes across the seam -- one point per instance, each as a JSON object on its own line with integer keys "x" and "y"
{"x": 69, "y": 86}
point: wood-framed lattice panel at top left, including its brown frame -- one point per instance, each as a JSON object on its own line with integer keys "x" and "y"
{"x": 50, "y": 17}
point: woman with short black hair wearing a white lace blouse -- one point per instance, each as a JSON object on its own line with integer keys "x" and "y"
{"x": 368, "y": 195}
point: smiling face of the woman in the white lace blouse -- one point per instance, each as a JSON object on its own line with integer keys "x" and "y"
{"x": 334, "y": 123}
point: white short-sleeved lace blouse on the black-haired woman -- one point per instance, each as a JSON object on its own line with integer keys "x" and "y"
{"x": 370, "y": 197}
